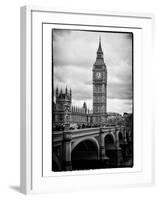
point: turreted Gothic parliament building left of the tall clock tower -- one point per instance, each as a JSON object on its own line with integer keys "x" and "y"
{"x": 66, "y": 115}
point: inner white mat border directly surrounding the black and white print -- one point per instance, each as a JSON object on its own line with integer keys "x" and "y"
{"x": 47, "y": 97}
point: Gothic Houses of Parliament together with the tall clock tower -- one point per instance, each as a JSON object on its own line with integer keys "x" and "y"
{"x": 65, "y": 114}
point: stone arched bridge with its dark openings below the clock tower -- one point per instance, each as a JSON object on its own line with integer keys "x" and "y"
{"x": 92, "y": 148}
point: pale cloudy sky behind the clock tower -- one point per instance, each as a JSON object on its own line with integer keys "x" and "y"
{"x": 74, "y": 53}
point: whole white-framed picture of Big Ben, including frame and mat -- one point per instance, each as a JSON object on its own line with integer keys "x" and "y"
{"x": 86, "y": 100}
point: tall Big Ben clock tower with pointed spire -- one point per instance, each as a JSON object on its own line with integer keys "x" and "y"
{"x": 99, "y": 88}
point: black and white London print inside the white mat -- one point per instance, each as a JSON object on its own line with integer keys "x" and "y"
{"x": 92, "y": 99}
